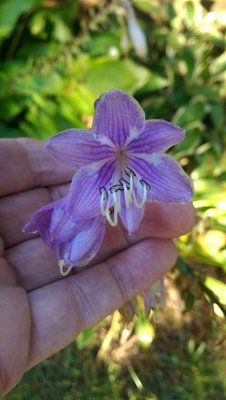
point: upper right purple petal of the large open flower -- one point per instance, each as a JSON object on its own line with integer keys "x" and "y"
{"x": 158, "y": 135}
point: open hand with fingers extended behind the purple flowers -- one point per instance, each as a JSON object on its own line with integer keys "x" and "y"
{"x": 41, "y": 312}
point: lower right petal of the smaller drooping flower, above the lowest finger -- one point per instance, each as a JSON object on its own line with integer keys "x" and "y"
{"x": 80, "y": 250}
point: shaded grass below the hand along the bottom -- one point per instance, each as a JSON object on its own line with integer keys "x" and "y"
{"x": 184, "y": 362}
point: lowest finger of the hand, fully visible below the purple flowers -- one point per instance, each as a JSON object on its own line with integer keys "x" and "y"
{"x": 61, "y": 310}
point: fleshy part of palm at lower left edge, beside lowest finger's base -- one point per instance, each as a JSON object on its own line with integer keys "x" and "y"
{"x": 15, "y": 336}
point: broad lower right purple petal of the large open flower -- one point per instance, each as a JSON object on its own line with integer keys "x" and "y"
{"x": 168, "y": 181}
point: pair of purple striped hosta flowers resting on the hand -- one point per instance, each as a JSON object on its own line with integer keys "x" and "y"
{"x": 120, "y": 165}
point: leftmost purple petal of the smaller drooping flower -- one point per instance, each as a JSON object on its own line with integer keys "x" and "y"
{"x": 40, "y": 222}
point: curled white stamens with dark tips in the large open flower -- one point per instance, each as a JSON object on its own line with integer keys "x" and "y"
{"x": 114, "y": 195}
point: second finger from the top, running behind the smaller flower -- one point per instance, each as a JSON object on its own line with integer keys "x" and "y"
{"x": 16, "y": 209}
